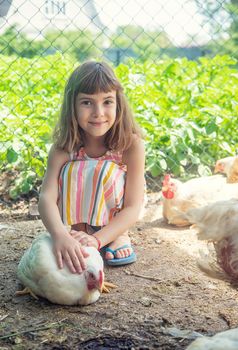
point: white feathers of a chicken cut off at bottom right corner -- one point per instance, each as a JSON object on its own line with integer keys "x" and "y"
{"x": 227, "y": 340}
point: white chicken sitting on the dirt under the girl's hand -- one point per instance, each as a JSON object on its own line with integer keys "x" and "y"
{"x": 38, "y": 271}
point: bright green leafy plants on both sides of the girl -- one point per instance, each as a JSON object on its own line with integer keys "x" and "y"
{"x": 187, "y": 109}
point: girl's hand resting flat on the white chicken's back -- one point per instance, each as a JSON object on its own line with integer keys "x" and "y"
{"x": 70, "y": 251}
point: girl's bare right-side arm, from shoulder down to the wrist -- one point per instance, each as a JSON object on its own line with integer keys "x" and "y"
{"x": 134, "y": 158}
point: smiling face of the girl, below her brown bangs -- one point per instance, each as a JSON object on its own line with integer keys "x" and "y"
{"x": 96, "y": 113}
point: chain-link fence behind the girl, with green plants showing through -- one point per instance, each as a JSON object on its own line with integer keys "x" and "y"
{"x": 183, "y": 95}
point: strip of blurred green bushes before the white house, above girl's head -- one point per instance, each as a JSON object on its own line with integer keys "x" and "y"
{"x": 84, "y": 44}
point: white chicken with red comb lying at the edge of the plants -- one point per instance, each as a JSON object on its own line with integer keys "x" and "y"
{"x": 179, "y": 196}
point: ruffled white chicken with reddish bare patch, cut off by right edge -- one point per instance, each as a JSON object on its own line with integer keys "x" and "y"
{"x": 218, "y": 223}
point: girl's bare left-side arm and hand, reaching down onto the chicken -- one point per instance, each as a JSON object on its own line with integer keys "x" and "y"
{"x": 65, "y": 246}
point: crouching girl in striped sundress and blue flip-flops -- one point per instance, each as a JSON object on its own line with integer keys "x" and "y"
{"x": 95, "y": 175}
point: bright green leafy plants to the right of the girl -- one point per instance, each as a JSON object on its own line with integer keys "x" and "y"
{"x": 188, "y": 109}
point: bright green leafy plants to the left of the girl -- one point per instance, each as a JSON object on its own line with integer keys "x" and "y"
{"x": 31, "y": 91}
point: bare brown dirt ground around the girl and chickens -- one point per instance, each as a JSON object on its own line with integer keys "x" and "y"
{"x": 159, "y": 296}
